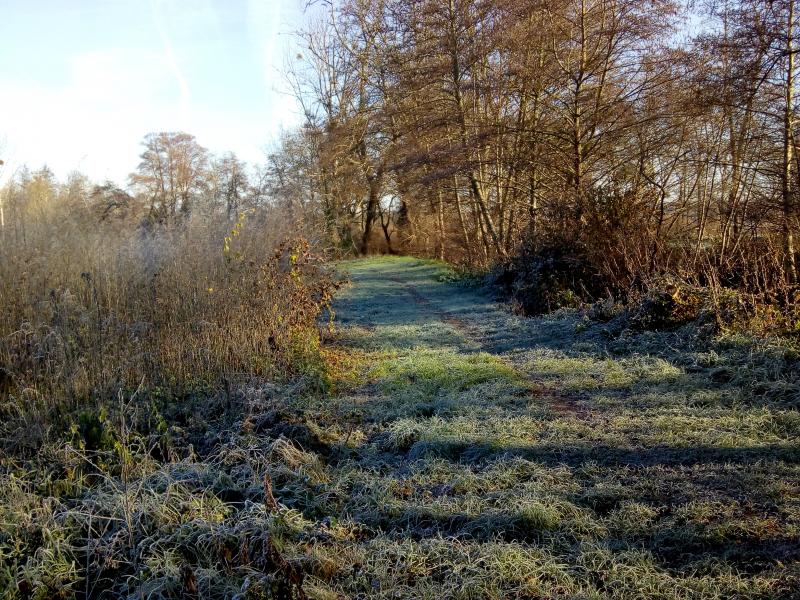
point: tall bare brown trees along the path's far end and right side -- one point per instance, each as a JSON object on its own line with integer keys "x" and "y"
{"x": 478, "y": 131}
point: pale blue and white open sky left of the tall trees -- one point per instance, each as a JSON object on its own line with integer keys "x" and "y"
{"x": 83, "y": 81}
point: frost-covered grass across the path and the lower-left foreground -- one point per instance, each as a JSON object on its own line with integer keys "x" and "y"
{"x": 464, "y": 453}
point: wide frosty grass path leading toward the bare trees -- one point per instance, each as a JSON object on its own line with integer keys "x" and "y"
{"x": 472, "y": 453}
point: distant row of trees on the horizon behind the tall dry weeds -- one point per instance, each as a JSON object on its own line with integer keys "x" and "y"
{"x": 175, "y": 178}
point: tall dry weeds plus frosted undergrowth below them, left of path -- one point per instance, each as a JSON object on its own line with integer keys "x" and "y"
{"x": 127, "y": 353}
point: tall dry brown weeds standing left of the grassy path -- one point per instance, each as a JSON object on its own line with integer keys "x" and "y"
{"x": 94, "y": 310}
